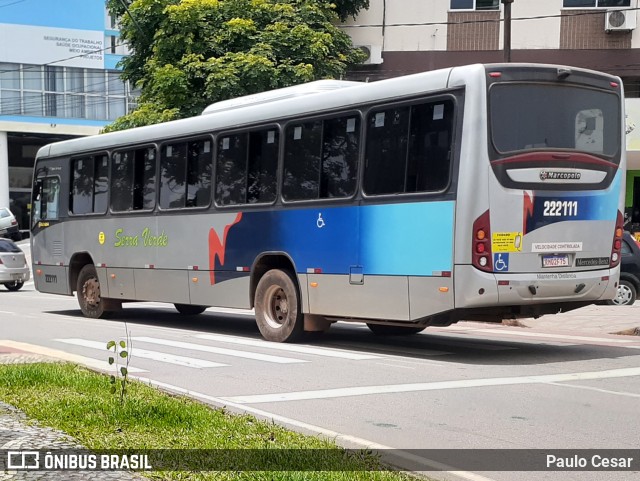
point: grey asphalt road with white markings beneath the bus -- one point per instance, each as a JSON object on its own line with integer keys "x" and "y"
{"x": 470, "y": 386}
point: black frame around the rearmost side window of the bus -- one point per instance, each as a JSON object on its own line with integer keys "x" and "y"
{"x": 456, "y": 95}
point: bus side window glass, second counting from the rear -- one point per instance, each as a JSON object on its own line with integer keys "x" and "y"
{"x": 320, "y": 158}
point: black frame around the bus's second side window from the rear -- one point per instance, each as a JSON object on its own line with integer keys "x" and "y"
{"x": 335, "y": 114}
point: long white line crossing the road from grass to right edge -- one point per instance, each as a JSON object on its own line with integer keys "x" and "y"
{"x": 431, "y": 386}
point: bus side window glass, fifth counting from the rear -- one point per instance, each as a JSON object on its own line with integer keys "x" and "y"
{"x": 133, "y": 180}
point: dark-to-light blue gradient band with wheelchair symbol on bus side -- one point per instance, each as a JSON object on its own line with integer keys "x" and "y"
{"x": 397, "y": 239}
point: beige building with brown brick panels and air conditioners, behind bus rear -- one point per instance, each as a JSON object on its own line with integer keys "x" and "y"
{"x": 408, "y": 36}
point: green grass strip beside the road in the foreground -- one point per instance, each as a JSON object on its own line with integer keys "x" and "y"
{"x": 79, "y": 402}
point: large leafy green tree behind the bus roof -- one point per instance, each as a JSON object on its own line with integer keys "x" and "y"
{"x": 187, "y": 54}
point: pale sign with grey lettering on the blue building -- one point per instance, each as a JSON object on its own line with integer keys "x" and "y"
{"x": 59, "y": 46}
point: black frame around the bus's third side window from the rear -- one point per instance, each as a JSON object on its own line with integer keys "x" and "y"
{"x": 279, "y": 166}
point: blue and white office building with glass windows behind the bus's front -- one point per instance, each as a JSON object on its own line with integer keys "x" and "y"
{"x": 58, "y": 80}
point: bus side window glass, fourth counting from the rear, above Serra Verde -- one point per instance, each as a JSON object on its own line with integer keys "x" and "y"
{"x": 185, "y": 174}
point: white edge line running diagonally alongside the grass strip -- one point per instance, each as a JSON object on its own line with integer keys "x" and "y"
{"x": 345, "y": 440}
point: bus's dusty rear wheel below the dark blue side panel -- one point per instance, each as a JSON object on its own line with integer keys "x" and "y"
{"x": 277, "y": 306}
